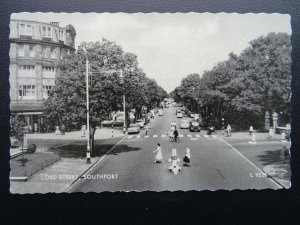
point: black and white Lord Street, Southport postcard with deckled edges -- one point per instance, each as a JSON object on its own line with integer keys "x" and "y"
{"x": 106, "y": 102}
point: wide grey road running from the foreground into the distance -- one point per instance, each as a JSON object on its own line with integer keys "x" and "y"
{"x": 215, "y": 163}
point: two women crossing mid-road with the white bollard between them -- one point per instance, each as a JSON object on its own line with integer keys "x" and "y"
{"x": 175, "y": 168}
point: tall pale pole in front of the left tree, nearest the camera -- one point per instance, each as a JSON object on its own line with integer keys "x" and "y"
{"x": 88, "y": 153}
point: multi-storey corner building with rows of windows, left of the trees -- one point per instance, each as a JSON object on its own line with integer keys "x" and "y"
{"x": 36, "y": 50}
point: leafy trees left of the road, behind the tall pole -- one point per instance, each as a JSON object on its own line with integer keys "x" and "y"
{"x": 112, "y": 74}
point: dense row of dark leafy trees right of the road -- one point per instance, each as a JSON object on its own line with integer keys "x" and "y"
{"x": 243, "y": 88}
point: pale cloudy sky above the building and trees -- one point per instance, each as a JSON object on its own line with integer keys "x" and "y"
{"x": 171, "y": 46}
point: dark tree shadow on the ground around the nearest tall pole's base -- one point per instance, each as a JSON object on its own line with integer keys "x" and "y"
{"x": 79, "y": 151}
